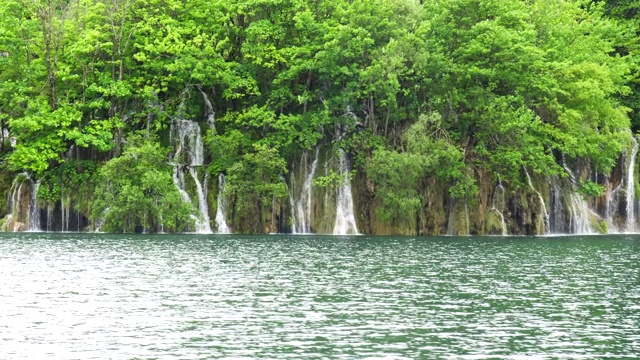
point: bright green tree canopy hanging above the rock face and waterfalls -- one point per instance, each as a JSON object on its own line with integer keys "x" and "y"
{"x": 504, "y": 84}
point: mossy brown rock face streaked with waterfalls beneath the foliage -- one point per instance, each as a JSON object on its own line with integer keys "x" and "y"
{"x": 540, "y": 205}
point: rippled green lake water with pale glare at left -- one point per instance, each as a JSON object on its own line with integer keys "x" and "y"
{"x": 86, "y": 296}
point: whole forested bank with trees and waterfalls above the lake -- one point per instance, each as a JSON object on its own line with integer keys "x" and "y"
{"x": 327, "y": 116}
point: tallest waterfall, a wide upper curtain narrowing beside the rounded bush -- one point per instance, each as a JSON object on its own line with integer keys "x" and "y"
{"x": 189, "y": 153}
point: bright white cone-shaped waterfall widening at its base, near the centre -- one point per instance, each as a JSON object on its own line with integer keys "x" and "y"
{"x": 345, "y": 218}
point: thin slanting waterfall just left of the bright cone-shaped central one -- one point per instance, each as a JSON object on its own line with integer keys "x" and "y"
{"x": 301, "y": 208}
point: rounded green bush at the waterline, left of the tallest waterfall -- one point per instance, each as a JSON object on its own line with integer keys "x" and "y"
{"x": 135, "y": 192}
